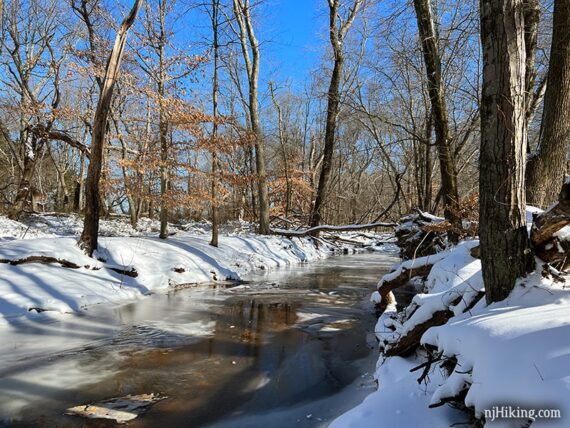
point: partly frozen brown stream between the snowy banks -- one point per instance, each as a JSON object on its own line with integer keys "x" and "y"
{"x": 291, "y": 347}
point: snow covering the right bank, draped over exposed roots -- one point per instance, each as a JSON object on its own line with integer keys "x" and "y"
{"x": 512, "y": 356}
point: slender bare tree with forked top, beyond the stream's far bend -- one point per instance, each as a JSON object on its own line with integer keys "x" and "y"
{"x": 338, "y": 28}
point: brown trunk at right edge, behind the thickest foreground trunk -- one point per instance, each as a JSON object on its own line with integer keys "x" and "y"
{"x": 546, "y": 168}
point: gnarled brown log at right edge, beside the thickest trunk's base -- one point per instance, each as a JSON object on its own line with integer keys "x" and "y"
{"x": 547, "y": 246}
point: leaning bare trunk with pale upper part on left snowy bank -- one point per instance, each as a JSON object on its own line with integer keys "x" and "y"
{"x": 89, "y": 236}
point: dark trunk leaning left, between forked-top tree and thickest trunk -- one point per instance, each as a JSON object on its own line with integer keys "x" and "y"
{"x": 432, "y": 60}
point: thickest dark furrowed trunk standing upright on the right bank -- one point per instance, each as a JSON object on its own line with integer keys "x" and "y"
{"x": 505, "y": 252}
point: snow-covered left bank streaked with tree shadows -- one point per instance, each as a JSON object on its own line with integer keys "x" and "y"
{"x": 129, "y": 263}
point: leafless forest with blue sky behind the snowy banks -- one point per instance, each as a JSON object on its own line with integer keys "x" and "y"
{"x": 182, "y": 113}
